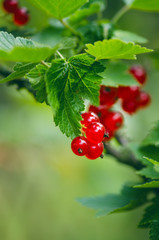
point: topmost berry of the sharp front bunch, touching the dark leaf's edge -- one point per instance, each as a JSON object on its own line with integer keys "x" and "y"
{"x": 89, "y": 117}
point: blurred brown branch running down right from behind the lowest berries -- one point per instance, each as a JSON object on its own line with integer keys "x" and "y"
{"x": 125, "y": 156}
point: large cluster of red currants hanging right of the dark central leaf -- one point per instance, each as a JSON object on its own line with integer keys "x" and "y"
{"x": 101, "y": 123}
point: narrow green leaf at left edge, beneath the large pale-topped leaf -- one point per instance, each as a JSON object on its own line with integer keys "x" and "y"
{"x": 19, "y": 71}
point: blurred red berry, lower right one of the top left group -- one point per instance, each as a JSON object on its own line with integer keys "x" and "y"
{"x": 21, "y": 17}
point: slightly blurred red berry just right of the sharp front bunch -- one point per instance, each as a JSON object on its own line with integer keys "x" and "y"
{"x": 113, "y": 121}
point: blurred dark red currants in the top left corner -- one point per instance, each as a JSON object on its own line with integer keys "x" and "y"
{"x": 20, "y": 15}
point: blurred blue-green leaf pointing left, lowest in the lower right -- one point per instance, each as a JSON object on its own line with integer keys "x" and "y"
{"x": 127, "y": 200}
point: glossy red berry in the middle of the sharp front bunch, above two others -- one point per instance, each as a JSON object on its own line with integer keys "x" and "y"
{"x": 95, "y": 132}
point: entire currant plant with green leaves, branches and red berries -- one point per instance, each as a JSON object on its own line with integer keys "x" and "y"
{"x": 80, "y": 56}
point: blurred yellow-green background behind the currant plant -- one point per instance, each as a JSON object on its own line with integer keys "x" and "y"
{"x": 40, "y": 178}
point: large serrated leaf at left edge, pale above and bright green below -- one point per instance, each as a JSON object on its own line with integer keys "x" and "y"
{"x": 22, "y": 49}
